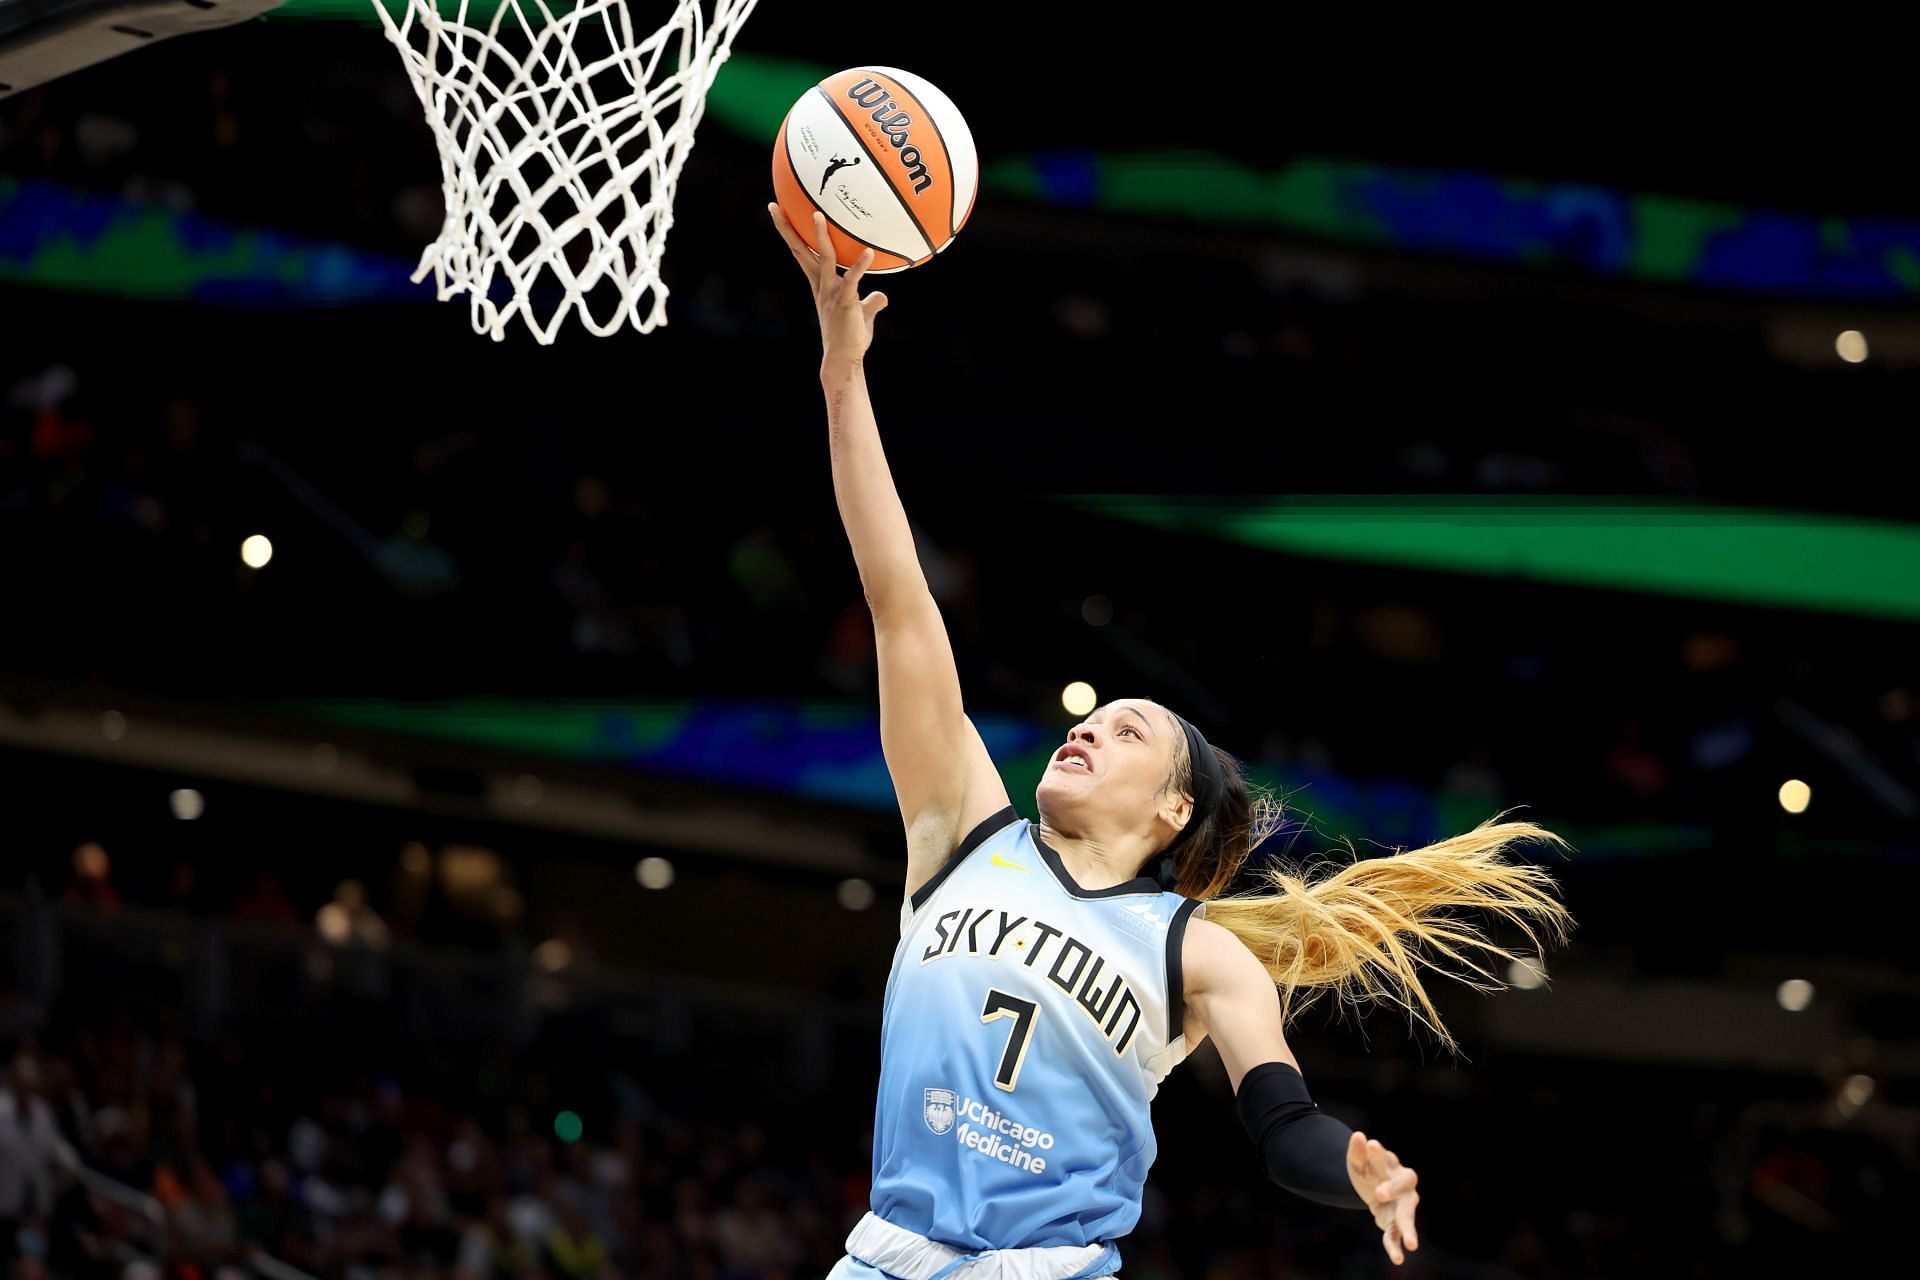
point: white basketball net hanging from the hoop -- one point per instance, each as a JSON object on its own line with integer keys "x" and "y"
{"x": 560, "y": 151}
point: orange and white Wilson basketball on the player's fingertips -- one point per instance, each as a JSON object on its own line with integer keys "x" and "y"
{"x": 886, "y": 156}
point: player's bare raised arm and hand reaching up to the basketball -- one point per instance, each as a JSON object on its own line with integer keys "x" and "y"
{"x": 942, "y": 772}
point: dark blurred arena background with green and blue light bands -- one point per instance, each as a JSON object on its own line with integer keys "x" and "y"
{"x": 443, "y": 818}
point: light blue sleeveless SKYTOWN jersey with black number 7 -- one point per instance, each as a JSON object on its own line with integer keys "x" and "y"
{"x": 1028, "y": 1026}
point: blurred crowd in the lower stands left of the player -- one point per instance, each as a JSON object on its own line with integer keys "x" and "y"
{"x": 366, "y": 1179}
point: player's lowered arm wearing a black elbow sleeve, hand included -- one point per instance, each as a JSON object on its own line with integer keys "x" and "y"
{"x": 1230, "y": 997}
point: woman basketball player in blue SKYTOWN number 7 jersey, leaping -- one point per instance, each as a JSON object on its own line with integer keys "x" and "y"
{"x": 1051, "y": 974}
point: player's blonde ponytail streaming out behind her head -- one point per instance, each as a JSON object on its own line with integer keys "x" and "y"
{"x": 1368, "y": 930}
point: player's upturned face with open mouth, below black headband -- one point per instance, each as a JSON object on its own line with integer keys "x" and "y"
{"x": 1107, "y": 778}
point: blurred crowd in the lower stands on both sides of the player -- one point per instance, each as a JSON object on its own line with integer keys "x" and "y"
{"x": 358, "y": 1164}
